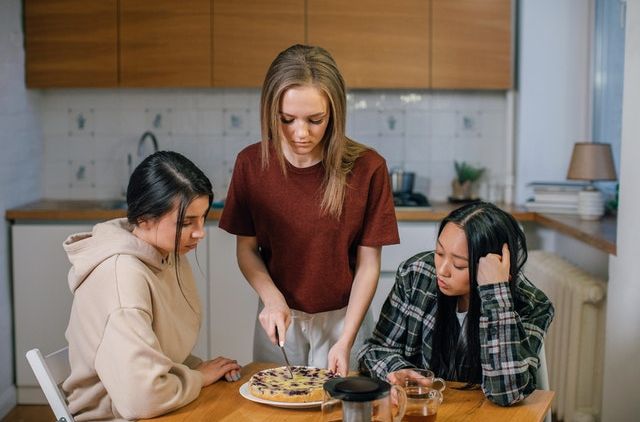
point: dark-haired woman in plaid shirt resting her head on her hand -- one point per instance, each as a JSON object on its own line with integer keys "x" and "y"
{"x": 465, "y": 311}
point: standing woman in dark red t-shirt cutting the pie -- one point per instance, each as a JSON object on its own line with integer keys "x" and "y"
{"x": 311, "y": 209}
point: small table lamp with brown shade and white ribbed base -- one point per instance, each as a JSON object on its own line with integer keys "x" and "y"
{"x": 591, "y": 161}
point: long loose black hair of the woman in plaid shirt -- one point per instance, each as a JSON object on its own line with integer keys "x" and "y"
{"x": 487, "y": 228}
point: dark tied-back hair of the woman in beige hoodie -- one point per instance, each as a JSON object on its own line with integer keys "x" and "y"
{"x": 161, "y": 180}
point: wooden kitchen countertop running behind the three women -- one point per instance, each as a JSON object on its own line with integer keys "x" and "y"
{"x": 600, "y": 234}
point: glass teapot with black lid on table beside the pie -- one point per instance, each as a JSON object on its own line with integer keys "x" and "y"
{"x": 361, "y": 399}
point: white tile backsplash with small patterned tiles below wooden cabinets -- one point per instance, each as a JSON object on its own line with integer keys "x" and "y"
{"x": 421, "y": 131}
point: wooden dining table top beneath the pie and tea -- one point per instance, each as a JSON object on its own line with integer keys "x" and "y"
{"x": 222, "y": 402}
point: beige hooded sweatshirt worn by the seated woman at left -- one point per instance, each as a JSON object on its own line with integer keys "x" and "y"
{"x": 132, "y": 327}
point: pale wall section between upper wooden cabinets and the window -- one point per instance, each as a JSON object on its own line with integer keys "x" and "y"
{"x": 554, "y": 93}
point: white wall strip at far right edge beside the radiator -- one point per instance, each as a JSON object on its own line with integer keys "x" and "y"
{"x": 622, "y": 343}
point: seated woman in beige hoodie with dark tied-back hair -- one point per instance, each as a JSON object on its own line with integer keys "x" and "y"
{"x": 136, "y": 312}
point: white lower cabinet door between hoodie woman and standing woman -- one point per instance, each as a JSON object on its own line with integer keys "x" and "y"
{"x": 232, "y": 302}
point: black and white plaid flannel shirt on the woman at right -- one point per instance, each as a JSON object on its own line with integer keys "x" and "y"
{"x": 511, "y": 332}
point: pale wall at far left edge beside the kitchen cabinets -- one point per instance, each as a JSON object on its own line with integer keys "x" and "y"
{"x": 20, "y": 169}
